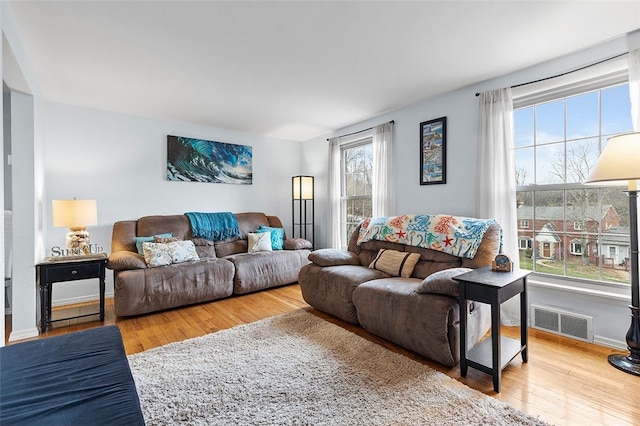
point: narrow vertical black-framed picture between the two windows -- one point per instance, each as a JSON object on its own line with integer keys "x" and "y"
{"x": 433, "y": 149}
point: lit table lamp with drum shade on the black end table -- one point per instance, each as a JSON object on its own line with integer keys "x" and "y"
{"x": 76, "y": 215}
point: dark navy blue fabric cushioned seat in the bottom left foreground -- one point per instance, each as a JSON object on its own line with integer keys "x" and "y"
{"x": 71, "y": 379}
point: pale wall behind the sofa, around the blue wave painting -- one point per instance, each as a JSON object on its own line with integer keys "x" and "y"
{"x": 120, "y": 161}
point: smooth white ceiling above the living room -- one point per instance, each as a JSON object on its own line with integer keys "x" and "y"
{"x": 298, "y": 69}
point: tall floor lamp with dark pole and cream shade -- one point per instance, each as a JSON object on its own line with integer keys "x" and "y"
{"x": 618, "y": 164}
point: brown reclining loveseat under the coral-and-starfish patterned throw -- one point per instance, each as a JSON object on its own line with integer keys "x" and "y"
{"x": 339, "y": 282}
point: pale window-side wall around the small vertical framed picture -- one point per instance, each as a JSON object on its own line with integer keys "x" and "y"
{"x": 458, "y": 195}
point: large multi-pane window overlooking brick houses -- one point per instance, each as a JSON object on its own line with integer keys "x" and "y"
{"x": 559, "y": 133}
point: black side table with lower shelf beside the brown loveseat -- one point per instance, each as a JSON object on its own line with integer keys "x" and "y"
{"x": 487, "y": 286}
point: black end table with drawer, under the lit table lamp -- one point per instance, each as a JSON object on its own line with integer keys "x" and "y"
{"x": 68, "y": 268}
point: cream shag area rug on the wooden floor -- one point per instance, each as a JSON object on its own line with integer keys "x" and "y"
{"x": 297, "y": 369}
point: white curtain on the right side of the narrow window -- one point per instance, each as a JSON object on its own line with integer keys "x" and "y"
{"x": 382, "y": 188}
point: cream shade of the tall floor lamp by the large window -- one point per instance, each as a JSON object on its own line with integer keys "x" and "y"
{"x": 619, "y": 163}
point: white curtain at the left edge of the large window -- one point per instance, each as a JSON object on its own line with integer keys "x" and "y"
{"x": 496, "y": 187}
